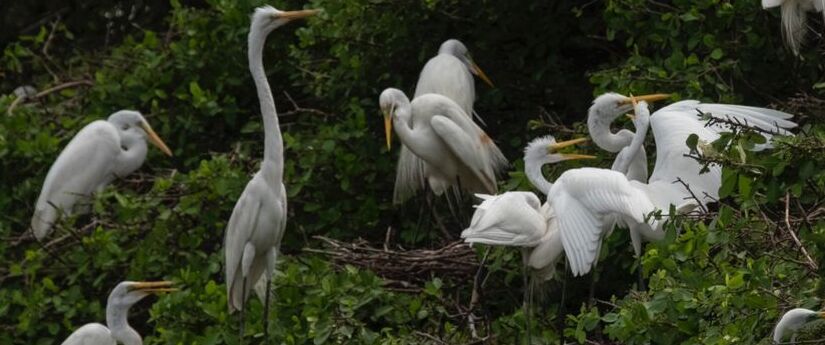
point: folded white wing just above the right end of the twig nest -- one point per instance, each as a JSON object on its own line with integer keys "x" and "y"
{"x": 509, "y": 219}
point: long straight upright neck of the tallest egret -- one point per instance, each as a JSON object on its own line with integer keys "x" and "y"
{"x": 273, "y": 164}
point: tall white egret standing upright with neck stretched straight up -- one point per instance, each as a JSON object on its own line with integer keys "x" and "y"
{"x": 256, "y": 227}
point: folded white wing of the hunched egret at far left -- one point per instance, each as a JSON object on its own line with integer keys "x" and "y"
{"x": 83, "y": 167}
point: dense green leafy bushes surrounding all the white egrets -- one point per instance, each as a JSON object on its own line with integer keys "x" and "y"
{"x": 723, "y": 278}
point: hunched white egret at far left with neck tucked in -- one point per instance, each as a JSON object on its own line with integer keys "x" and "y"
{"x": 99, "y": 153}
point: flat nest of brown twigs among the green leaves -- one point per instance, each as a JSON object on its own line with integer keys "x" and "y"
{"x": 401, "y": 269}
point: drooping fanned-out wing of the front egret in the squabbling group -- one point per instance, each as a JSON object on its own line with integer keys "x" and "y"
{"x": 581, "y": 198}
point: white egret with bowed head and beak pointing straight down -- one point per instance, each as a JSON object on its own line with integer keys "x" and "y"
{"x": 454, "y": 150}
